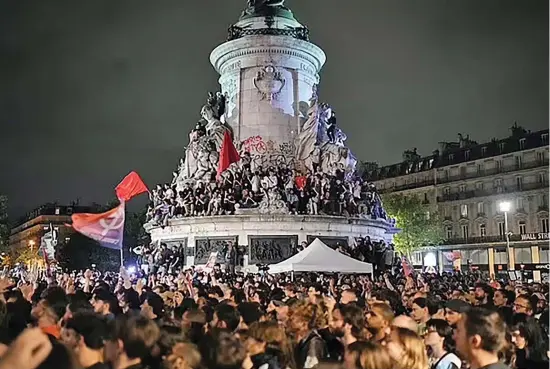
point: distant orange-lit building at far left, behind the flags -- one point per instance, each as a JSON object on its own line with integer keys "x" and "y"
{"x": 28, "y": 230}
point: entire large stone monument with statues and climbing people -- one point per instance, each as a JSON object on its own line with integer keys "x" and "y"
{"x": 288, "y": 140}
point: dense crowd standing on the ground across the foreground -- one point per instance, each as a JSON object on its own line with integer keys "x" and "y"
{"x": 210, "y": 319}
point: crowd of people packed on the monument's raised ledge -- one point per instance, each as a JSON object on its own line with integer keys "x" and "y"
{"x": 271, "y": 189}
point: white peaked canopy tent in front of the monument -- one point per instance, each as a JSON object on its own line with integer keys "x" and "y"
{"x": 318, "y": 257}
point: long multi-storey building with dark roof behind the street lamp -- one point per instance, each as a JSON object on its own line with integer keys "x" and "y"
{"x": 467, "y": 183}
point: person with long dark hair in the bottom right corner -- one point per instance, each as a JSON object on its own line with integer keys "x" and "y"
{"x": 529, "y": 341}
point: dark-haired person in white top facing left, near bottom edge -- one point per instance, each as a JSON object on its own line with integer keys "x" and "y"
{"x": 439, "y": 340}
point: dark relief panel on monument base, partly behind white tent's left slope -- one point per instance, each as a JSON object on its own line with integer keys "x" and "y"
{"x": 271, "y": 249}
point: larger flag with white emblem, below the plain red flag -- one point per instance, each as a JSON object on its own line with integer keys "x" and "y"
{"x": 106, "y": 228}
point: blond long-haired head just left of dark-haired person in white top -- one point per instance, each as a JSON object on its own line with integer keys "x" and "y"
{"x": 406, "y": 349}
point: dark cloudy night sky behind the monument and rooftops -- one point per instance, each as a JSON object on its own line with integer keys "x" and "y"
{"x": 90, "y": 90}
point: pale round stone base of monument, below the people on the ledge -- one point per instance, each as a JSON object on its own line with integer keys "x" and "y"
{"x": 262, "y": 238}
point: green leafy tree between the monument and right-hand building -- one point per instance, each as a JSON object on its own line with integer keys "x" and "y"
{"x": 419, "y": 226}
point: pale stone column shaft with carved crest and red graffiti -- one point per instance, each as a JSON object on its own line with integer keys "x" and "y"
{"x": 269, "y": 82}
